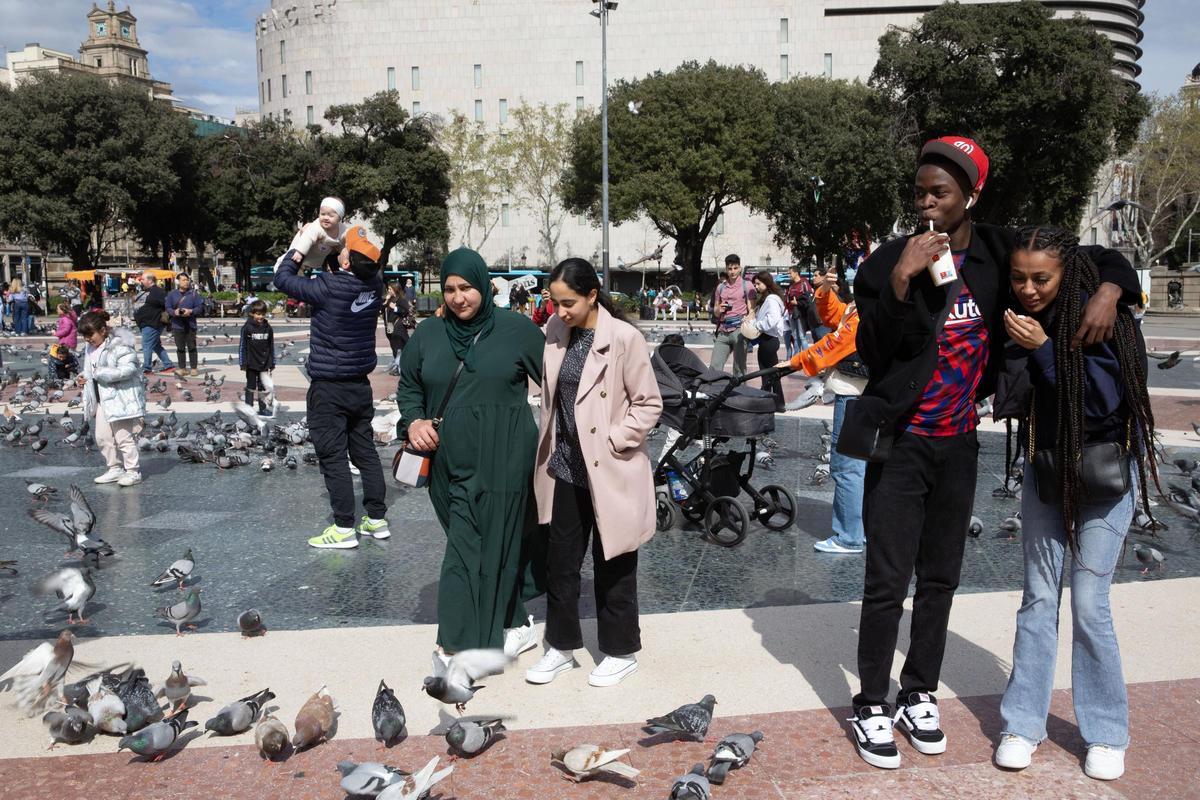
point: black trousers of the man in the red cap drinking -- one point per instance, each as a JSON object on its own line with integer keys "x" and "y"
{"x": 916, "y": 512}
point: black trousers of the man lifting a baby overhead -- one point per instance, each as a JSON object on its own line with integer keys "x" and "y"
{"x": 340, "y": 423}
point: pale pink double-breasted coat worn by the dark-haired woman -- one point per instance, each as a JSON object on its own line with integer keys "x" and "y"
{"x": 617, "y": 406}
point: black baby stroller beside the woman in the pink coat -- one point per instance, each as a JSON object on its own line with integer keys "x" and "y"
{"x": 712, "y": 408}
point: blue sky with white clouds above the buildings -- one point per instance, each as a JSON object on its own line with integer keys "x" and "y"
{"x": 206, "y": 49}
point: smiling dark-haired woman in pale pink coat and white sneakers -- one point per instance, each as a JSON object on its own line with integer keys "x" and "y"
{"x": 593, "y": 478}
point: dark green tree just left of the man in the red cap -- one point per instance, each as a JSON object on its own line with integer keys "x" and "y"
{"x": 832, "y": 166}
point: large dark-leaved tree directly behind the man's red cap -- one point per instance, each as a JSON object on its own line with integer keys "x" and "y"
{"x": 1037, "y": 93}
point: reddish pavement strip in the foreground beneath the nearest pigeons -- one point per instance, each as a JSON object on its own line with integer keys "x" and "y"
{"x": 803, "y": 755}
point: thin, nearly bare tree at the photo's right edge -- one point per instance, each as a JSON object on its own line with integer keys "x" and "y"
{"x": 1165, "y": 179}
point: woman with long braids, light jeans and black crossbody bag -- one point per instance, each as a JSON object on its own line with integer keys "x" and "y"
{"x": 1083, "y": 398}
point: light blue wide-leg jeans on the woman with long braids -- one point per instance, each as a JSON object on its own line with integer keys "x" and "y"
{"x": 1099, "y": 689}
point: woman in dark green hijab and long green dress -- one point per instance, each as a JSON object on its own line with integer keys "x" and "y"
{"x": 482, "y": 482}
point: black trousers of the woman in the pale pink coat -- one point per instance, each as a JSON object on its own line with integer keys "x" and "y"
{"x": 572, "y": 527}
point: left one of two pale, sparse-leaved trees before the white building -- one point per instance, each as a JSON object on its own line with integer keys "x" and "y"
{"x": 479, "y": 177}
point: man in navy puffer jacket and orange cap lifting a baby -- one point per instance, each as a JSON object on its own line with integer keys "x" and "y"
{"x": 343, "y": 353}
